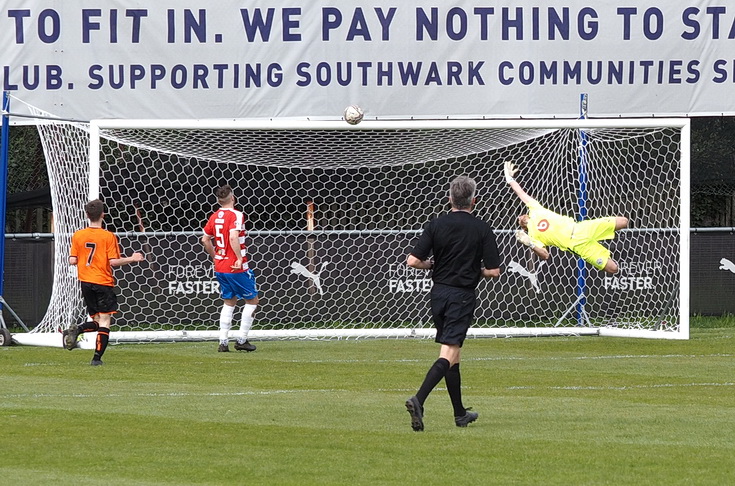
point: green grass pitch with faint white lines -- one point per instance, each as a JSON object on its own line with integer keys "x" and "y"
{"x": 552, "y": 411}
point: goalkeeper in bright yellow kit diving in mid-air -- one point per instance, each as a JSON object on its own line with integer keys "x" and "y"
{"x": 543, "y": 228}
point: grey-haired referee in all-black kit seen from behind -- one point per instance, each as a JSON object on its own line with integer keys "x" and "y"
{"x": 464, "y": 250}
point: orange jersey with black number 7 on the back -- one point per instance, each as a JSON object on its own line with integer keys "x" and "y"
{"x": 94, "y": 248}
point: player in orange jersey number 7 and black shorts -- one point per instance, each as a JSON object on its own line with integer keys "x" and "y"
{"x": 94, "y": 251}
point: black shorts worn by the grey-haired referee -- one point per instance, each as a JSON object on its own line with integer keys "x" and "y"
{"x": 452, "y": 309}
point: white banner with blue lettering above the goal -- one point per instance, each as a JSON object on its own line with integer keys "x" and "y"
{"x": 88, "y": 59}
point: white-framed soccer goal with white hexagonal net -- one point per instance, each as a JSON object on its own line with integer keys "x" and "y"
{"x": 333, "y": 210}
